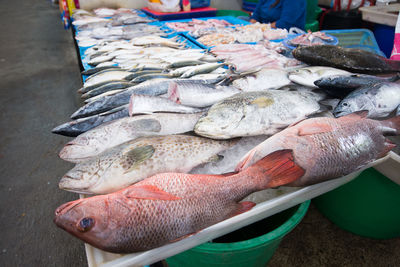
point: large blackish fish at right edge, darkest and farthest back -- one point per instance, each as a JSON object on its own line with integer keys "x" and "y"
{"x": 354, "y": 60}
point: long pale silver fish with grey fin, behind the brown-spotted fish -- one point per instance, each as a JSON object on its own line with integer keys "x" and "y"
{"x": 108, "y": 135}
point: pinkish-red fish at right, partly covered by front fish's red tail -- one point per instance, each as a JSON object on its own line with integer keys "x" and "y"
{"x": 328, "y": 148}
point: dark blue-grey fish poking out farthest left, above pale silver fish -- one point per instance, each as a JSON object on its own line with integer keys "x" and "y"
{"x": 79, "y": 126}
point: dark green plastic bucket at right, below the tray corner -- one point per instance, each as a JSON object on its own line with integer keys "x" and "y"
{"x": 368, "y": 206}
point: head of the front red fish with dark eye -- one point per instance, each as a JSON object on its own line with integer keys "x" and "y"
{"x": 87, "y": 219}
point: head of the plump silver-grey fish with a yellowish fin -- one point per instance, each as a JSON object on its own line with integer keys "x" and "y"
{"x": 219, "y": 122}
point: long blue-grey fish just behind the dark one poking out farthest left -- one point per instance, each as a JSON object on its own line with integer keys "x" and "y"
{"x": 151, "y": 88}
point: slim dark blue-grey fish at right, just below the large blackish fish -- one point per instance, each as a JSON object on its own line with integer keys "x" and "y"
{"x": 340, "y": 85}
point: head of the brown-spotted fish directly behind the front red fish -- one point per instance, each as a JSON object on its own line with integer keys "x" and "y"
{"x": 85, "y": 175}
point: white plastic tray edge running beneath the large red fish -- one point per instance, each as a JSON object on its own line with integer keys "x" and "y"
{"x": 389, "y": 166}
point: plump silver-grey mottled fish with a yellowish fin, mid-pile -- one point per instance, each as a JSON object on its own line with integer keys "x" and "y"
{"x": 257, "y": 113}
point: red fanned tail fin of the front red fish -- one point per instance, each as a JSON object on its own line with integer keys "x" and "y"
{"x": 276, "y": 169}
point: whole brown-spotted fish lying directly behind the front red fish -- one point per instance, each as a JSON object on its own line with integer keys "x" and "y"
{"x": 138, "y": 159}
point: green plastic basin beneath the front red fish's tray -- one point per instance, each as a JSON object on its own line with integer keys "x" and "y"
{"x": 252, "y": 245}
